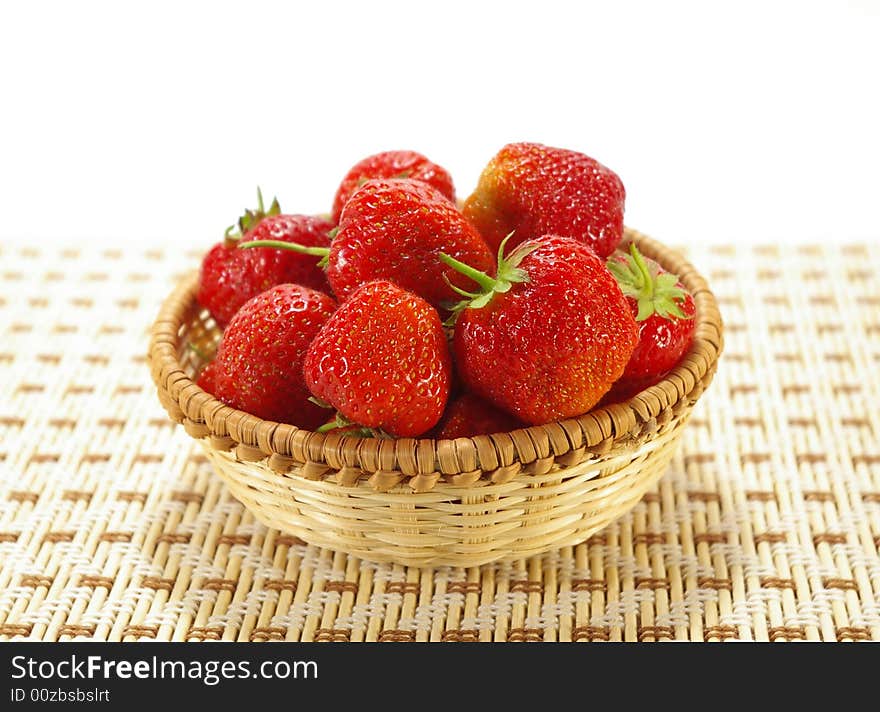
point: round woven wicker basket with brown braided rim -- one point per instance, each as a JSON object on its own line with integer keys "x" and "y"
{"x": 461, "y": 502}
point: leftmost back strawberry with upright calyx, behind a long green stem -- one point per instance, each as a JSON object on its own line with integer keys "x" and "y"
{"x": 230, "y": 277}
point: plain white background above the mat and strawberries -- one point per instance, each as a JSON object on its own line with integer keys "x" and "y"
{"x": 155, "y": 122}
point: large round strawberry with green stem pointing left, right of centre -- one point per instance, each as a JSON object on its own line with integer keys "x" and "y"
{"x": 548, "y": 336}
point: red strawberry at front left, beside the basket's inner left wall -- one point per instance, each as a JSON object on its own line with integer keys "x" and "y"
{"x": 258, "y": 367}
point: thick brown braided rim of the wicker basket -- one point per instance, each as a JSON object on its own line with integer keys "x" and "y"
{"x": 598, "y": 430}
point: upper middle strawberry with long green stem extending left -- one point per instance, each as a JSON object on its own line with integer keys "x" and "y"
{"x": 395, "y": 230}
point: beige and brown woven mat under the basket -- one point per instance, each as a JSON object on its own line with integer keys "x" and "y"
{"x": 766, "y": 527}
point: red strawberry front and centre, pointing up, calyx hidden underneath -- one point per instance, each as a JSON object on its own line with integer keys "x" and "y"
{"x": 382, "y": 361}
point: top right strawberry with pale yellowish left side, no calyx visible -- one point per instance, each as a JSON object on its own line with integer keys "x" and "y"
{"x": 532, "y": 190}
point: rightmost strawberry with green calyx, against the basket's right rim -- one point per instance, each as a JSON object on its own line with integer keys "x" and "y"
{"x": 664, "y": 311}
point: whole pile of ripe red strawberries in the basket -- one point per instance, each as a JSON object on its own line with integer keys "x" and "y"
{"x": 402, "y": 314}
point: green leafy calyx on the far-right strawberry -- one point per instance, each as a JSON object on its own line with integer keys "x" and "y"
{"x": 655, "y": 291}
